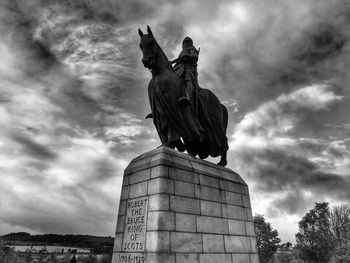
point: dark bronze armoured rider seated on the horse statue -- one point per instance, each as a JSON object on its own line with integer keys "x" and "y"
{"x": 186, "y": 69}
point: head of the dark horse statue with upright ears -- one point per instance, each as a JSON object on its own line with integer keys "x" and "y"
{"x": 149, "y": 48}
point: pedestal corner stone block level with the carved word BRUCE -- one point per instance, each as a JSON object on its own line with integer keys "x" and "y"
{"x": 161, "y": 221}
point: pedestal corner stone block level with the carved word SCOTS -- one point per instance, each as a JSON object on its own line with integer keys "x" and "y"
{"x": 157, "y": 241}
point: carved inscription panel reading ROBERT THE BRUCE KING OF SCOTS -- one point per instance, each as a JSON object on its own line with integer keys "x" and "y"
{"x": 135, "y": 226}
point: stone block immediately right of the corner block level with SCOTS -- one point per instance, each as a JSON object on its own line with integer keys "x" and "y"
{"x": 186, "y": 242}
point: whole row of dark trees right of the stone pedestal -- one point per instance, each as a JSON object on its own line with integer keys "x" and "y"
{"x": 323, "y": 237}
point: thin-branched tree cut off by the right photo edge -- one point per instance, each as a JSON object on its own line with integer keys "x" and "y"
{"x": 340, "y": 224}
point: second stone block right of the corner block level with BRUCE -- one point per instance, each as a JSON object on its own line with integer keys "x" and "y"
{"x": 206, "y": 224}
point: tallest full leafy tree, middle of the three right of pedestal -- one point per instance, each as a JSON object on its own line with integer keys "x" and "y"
{"x": 314, "y": 239}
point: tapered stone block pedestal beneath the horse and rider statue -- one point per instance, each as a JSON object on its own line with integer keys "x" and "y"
{"x": 178, "y": 209}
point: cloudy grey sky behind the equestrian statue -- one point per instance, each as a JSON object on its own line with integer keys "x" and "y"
{"x": 73, "y": 96}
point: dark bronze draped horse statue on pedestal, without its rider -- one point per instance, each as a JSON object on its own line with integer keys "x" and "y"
{"x": 200, "y": 132}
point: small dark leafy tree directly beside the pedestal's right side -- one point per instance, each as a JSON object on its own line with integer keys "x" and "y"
{"x": 267, "y": 239}
